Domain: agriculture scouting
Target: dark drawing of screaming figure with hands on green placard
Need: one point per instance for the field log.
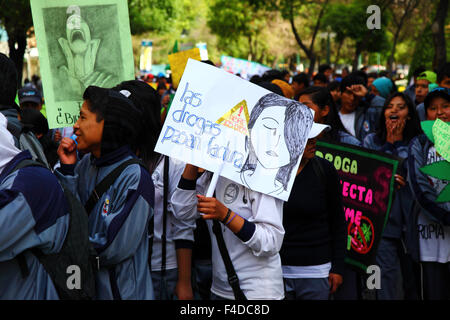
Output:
(83, 46)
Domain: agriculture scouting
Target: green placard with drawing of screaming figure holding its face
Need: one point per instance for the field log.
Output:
(80, 44)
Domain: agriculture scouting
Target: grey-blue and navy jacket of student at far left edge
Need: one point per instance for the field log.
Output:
(33, 213)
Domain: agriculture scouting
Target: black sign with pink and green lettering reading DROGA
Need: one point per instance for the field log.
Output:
(367, 180)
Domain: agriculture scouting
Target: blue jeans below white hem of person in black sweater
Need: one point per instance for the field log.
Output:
(306, 289)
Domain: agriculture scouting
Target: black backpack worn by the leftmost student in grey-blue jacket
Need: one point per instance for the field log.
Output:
(76, 250)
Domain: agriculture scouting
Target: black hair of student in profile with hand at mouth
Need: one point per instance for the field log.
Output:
(122, 120)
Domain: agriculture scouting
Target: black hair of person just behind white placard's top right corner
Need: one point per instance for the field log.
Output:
(322, 97)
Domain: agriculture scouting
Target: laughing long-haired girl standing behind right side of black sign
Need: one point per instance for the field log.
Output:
(399, 123)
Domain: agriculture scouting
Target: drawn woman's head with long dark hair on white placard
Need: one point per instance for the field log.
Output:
(277, 138)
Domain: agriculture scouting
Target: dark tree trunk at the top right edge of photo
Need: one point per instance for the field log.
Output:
(437, 29)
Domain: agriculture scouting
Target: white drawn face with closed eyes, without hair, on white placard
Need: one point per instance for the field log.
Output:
(267, 138)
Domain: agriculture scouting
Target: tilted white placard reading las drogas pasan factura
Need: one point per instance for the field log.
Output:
(220, 122)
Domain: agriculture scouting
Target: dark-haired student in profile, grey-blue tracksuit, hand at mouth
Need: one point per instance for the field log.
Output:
(108, 124)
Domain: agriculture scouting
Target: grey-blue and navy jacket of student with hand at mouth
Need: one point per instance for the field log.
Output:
(118, 223)
